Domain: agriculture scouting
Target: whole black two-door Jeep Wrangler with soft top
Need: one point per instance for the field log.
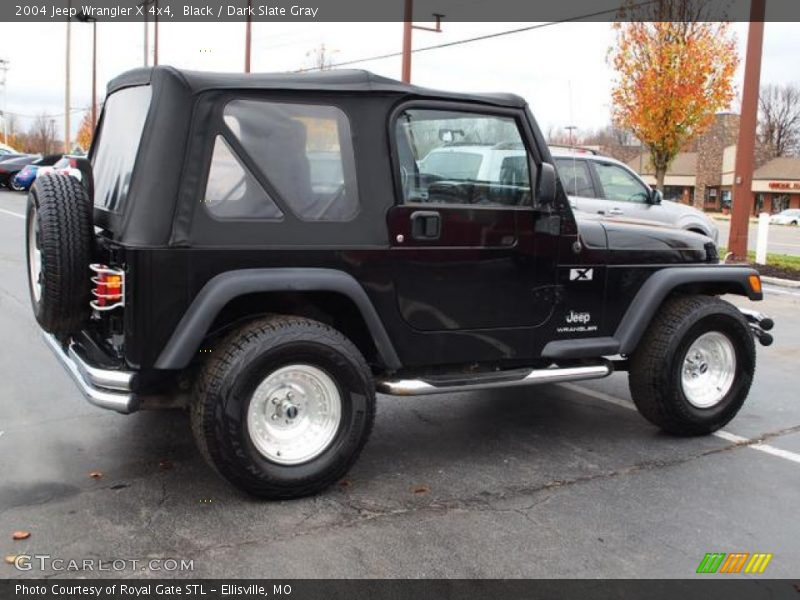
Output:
(270, 250)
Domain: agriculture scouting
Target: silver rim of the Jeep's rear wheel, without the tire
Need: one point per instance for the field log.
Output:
(294, 414)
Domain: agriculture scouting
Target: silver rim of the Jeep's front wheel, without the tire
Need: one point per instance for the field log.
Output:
(709, 368)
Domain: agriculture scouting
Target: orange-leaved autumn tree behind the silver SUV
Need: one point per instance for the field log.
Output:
(672, 78)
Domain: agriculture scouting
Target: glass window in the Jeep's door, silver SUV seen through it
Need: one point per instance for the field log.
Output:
(461, 158)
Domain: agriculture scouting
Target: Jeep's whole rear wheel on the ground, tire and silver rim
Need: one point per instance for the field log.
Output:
(283, 407)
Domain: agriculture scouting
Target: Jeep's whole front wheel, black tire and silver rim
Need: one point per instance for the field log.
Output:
(693, 368)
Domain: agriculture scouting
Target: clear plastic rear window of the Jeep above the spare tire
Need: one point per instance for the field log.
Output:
(117, 145)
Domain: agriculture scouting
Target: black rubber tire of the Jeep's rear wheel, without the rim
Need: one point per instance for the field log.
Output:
(225, 386)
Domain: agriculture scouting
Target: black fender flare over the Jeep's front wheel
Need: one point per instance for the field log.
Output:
(733, 279)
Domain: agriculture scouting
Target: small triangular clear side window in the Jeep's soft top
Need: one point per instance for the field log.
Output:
(232, 192)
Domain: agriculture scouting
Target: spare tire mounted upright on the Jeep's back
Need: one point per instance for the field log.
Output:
(58, 241)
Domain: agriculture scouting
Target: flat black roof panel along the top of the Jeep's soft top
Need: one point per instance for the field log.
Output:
(349, 80)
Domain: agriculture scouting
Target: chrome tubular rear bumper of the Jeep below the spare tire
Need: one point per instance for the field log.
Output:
(106, 388)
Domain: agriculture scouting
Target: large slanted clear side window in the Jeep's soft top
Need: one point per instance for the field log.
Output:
(306, 153)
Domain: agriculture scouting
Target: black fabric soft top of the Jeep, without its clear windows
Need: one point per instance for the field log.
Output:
(185, 116)
